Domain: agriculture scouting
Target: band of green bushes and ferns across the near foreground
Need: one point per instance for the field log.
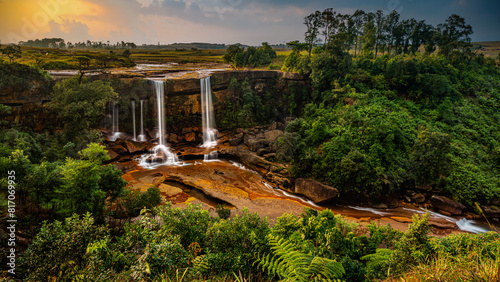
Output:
(191, 244)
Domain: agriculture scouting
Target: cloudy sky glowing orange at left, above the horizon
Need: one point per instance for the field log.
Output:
(248, 22)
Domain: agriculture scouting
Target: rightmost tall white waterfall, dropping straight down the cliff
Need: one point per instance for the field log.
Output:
(208, 121)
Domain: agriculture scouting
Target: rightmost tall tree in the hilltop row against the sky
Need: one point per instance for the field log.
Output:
(455, 34)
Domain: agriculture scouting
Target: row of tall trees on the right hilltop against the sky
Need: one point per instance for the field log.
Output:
(376, 32)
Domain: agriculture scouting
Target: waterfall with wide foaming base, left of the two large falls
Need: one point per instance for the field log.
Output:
(161, 154)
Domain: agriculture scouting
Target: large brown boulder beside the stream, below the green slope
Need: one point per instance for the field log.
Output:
(315, 190)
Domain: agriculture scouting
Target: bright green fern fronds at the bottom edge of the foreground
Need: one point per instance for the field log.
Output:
(292, 265)
